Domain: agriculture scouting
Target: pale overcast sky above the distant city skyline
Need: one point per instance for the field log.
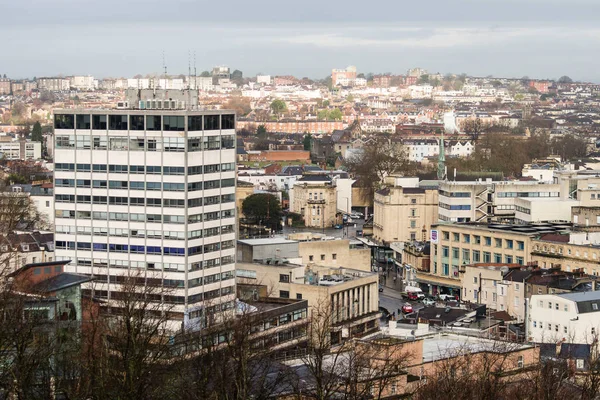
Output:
(120, 38)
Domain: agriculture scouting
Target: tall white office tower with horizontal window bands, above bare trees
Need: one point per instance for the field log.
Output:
(152, 192)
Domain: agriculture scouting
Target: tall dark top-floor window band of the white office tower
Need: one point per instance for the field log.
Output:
(144, 122)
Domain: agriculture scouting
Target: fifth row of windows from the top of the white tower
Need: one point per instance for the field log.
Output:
(142, 201)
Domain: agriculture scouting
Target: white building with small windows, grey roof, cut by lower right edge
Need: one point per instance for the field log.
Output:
(568, 317)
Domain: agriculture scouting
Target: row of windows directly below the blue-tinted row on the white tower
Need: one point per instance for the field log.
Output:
(170, 267)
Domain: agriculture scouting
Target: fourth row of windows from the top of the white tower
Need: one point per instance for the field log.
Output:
(141, 185)
